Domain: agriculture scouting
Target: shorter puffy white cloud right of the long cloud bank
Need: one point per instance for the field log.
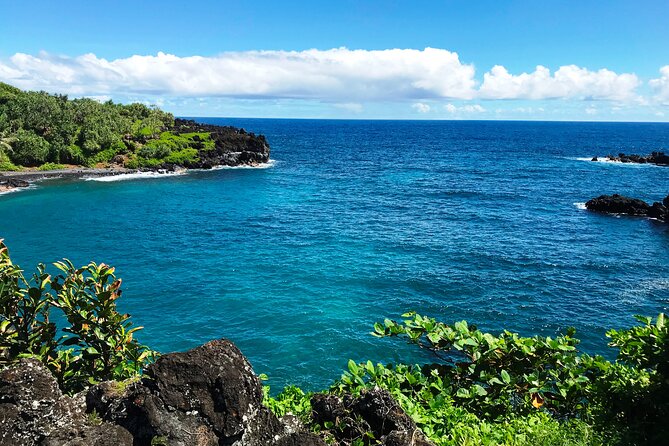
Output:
(568, 81)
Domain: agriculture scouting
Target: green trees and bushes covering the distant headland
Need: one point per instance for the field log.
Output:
(38, 129)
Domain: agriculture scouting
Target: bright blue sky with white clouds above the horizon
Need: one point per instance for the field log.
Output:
(442, 59)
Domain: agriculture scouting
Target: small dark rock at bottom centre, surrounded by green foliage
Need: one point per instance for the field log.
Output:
(373, 411)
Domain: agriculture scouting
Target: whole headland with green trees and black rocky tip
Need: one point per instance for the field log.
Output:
(51, 132)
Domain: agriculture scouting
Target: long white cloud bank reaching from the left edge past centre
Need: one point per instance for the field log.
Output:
(339, 75)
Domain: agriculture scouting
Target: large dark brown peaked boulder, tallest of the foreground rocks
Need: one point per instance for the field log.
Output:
(206, 396)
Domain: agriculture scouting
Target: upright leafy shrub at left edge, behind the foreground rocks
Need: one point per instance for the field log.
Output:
(98, 344)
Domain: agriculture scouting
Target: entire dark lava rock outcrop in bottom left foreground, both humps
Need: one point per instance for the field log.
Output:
(206, 396)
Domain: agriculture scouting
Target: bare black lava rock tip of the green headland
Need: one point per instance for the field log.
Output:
(232, 146)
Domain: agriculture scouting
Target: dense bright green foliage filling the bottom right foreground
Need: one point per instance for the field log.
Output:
(512, 390)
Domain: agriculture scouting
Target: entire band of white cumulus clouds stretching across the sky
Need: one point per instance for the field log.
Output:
(340, 76)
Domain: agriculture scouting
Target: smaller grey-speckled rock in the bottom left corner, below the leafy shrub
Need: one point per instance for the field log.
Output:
(33, 411)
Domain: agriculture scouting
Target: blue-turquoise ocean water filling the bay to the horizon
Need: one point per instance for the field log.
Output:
(362, 220)
